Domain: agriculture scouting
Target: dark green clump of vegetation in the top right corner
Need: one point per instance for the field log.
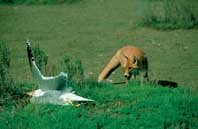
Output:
(170, 14)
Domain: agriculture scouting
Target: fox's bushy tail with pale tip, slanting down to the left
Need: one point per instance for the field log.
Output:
(109, 68)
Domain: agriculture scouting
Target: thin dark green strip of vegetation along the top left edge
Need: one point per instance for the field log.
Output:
(39, 1)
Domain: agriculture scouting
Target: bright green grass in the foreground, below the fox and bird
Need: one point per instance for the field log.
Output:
(116, 107)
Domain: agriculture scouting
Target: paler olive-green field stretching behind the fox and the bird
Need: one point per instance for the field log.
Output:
(92, 32)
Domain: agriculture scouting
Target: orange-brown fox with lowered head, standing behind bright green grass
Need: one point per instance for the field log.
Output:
(132, 60)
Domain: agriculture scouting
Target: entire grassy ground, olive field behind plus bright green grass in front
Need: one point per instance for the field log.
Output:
(92, 31)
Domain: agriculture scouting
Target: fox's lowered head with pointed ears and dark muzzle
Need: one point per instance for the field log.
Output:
(129, 65)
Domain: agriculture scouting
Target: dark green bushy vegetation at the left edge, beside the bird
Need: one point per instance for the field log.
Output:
(10, 92)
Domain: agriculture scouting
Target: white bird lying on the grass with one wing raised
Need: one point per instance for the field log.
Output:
(52, 89)
